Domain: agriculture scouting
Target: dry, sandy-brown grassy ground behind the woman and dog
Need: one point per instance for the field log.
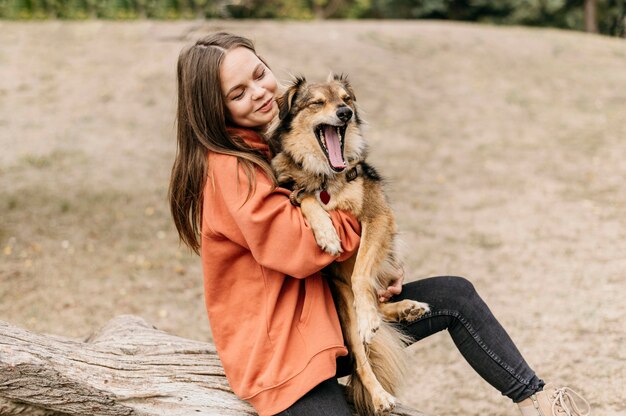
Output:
(504, 149)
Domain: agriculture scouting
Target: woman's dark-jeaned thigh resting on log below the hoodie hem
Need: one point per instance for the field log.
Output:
(325, 399)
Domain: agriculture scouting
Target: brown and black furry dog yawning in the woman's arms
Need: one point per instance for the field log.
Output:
(303, 162)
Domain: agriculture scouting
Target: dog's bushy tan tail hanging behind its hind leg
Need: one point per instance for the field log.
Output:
(387, 356)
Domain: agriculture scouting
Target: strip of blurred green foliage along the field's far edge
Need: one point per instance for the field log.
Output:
(566, 14)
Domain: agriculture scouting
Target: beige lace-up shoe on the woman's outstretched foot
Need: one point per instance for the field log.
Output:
(552, 401)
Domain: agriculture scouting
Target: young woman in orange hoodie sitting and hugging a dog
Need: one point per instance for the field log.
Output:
(271, 312)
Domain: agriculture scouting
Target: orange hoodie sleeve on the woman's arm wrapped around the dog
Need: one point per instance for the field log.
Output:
(272, 229)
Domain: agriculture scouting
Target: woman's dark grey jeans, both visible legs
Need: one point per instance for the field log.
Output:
(455, 306)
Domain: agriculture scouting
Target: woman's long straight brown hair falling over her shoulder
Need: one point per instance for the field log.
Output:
(201, 128)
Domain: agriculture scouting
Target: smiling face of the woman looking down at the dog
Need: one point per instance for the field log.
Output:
(249, 87)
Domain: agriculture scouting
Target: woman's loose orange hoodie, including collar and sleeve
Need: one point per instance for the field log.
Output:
(272, 315)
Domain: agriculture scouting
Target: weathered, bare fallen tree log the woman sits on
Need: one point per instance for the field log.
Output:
(128, 367)
